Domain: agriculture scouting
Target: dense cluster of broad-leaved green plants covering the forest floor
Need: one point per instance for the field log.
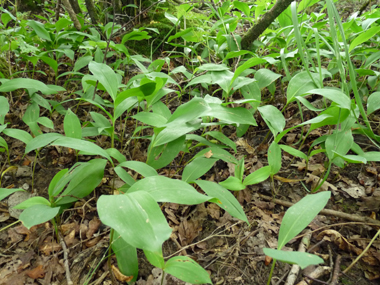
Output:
(317, 41)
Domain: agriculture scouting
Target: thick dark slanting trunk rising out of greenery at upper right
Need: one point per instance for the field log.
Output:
(264, 23)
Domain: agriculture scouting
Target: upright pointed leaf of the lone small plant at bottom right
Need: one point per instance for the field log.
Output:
(298, 216)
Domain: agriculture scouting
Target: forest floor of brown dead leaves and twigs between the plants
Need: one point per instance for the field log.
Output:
(229, 249)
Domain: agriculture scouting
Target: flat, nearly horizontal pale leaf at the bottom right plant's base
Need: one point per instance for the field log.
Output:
(303, 259)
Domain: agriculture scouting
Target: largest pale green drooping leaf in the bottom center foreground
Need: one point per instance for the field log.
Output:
(146, 227)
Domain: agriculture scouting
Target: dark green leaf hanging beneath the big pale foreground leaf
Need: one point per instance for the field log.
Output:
(126, 256)
